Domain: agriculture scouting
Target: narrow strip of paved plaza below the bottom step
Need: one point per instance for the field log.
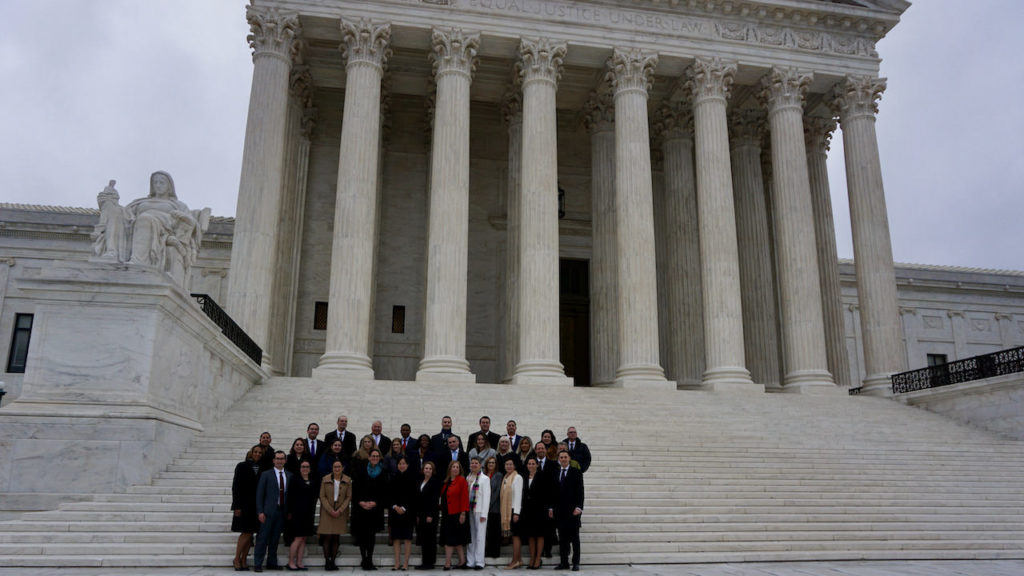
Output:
(870, 568)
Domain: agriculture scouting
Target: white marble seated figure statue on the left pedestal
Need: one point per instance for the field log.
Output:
(158, 231)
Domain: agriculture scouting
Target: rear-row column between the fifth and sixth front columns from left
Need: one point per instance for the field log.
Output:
(686, 322)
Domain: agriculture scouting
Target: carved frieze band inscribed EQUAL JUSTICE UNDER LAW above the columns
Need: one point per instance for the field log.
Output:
(761, 34)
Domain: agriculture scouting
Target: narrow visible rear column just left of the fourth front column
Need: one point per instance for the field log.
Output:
(514, 118)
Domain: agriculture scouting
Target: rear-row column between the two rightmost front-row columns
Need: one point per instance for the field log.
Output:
(818, 134)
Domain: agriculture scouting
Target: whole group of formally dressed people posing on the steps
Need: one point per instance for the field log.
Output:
(506, 489)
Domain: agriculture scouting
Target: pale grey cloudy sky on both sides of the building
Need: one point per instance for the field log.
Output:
(101, 90)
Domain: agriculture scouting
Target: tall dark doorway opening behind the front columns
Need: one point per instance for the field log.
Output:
(574, 319)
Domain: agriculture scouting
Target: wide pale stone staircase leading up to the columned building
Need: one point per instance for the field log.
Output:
(681, 477)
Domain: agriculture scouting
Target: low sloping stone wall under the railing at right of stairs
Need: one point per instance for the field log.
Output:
(995, 404)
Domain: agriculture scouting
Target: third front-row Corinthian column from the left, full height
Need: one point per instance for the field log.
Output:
(448, 244)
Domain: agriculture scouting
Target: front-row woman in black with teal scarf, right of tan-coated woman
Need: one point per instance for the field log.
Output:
(369, 503)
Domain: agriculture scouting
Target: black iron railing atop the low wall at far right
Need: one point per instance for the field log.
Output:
(975, 368)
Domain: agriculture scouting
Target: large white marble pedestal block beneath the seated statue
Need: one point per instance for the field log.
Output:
(123, 369)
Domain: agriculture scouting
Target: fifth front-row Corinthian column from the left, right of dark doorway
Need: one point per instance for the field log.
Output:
(632, 72)
